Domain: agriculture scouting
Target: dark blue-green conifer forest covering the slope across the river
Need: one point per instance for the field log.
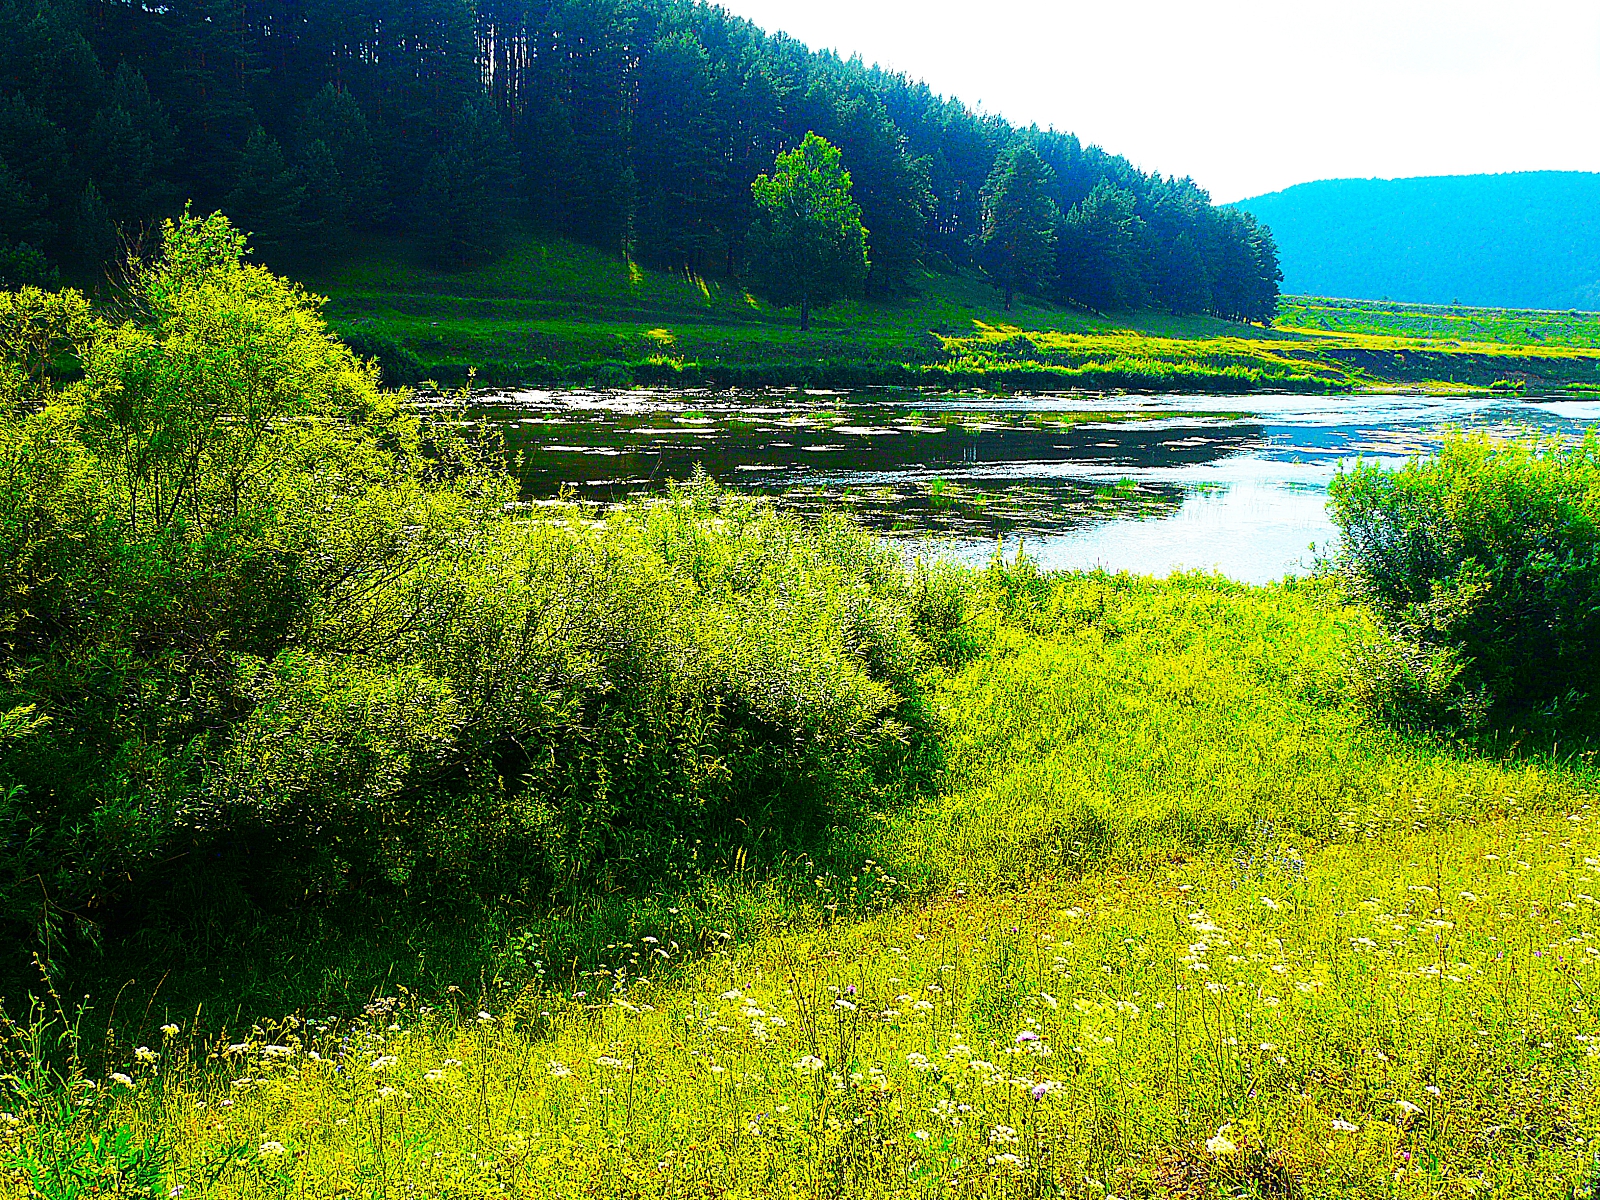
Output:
(634, 126)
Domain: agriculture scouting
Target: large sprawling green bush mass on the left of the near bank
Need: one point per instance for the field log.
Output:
(276, 642)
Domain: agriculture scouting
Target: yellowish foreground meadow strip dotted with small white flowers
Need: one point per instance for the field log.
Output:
(1409, 1017)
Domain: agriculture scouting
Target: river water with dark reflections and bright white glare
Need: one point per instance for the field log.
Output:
(1234, 484)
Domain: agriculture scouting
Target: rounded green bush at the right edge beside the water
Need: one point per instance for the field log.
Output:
(1486, 566)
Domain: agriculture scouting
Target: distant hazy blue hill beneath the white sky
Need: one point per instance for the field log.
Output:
(1527, 241)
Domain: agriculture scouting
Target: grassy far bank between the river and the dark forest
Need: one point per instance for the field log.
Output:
(559, 313)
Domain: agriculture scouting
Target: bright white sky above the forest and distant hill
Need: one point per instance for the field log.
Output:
(1250, 97)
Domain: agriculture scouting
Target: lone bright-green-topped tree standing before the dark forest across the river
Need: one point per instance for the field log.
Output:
(809, 246)
